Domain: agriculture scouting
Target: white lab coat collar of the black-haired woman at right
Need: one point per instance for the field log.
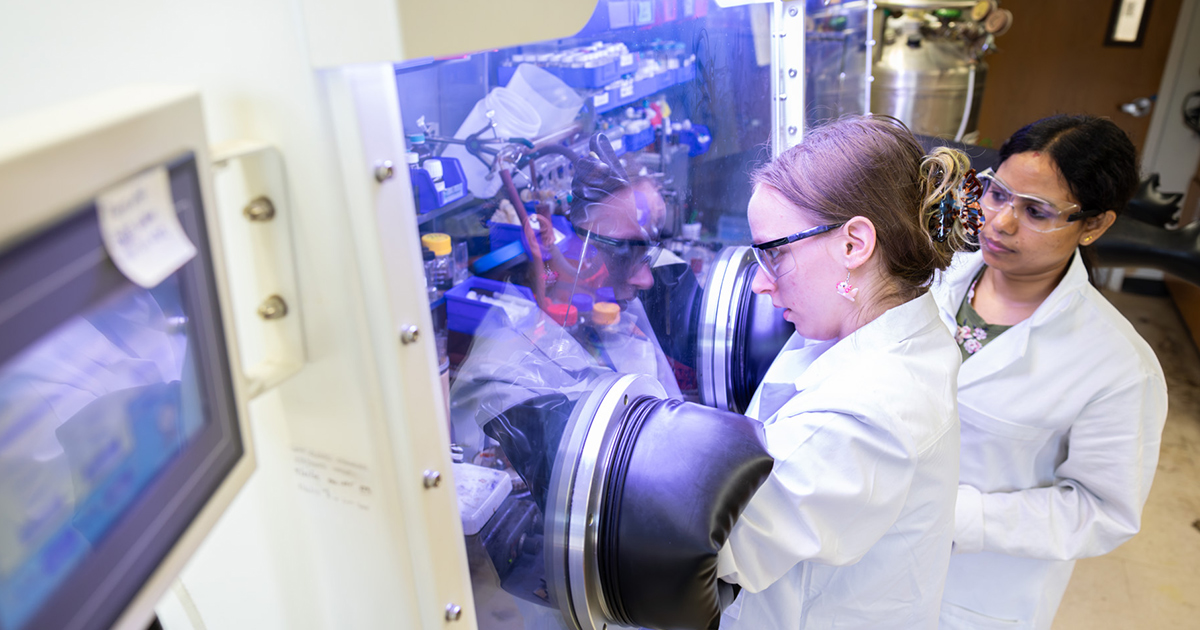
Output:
(1013, 344)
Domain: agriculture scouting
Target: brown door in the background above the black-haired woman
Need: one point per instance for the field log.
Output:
(1054, 61)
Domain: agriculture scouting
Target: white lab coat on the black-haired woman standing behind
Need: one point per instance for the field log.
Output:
(1063, 417)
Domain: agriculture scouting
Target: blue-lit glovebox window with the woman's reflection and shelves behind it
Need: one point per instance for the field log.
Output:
(617, 167)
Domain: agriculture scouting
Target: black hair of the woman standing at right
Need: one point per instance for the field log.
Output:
(1094, 155)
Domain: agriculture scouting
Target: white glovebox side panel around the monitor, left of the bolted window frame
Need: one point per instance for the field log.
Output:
(280, 559)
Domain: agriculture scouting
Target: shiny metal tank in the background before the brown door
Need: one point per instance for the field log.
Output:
(929, 71)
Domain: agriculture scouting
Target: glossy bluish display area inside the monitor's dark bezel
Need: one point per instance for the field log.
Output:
(91, 413)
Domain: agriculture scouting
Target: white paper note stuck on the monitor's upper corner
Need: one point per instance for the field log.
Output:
(141, 230)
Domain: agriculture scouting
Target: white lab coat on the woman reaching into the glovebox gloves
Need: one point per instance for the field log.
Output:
(854, 526)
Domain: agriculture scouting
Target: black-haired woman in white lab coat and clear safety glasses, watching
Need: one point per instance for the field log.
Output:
(1061, 403)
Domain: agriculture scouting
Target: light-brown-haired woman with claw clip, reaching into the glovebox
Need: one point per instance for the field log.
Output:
(853, 529)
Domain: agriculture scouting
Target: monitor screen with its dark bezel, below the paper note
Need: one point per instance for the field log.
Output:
(118, 418)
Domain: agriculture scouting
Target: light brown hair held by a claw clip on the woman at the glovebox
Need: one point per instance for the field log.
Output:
(873, 167)
